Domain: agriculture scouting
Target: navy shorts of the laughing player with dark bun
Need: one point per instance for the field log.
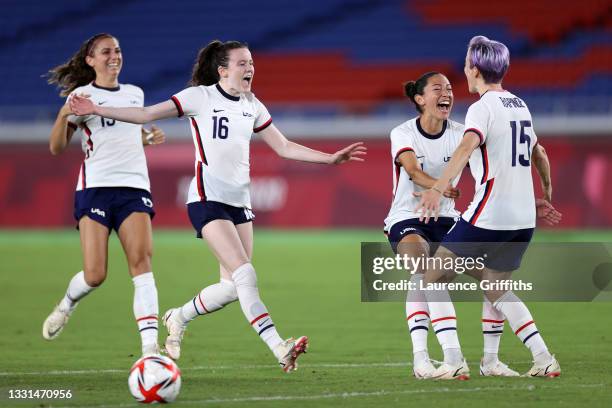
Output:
(432, 232)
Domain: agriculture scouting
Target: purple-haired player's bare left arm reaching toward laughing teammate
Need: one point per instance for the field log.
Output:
(430, 199)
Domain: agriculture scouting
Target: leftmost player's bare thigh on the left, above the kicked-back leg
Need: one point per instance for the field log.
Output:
(94, 246)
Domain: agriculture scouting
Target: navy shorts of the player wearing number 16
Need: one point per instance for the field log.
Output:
(203, 212)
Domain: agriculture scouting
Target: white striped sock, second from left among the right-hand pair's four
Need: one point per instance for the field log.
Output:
(444, 322)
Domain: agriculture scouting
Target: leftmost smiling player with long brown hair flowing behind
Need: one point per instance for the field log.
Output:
(112, 190)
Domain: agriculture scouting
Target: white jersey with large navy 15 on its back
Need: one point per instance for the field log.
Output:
(501, 166)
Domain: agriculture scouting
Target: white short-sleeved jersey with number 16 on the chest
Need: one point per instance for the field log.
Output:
(221, 126)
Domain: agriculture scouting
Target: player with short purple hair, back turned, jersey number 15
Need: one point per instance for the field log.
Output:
(500, 144)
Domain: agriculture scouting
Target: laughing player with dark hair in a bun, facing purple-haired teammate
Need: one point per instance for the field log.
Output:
(421, 148)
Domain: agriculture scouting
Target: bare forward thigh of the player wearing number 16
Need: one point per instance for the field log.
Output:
(223, 239)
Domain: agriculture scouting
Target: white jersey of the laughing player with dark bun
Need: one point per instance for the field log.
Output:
(433, 153)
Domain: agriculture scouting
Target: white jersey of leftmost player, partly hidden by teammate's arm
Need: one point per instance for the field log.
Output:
(114, 155)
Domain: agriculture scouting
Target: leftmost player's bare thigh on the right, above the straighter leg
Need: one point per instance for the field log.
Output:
(136, 237)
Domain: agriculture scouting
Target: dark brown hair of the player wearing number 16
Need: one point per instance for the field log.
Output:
(210, 58)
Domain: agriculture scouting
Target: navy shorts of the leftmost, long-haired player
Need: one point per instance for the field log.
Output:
(110, 206)
